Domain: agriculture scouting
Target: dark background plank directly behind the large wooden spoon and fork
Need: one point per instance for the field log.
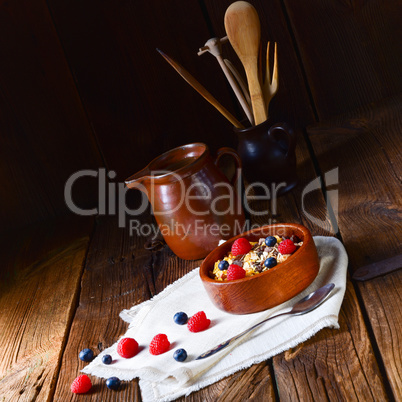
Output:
(291, 103)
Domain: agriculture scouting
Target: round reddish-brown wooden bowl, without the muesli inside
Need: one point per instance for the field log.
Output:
(267, 289)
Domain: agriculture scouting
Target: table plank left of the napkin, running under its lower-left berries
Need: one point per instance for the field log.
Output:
(115, 278)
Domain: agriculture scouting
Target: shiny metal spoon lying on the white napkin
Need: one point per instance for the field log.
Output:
(303, 306)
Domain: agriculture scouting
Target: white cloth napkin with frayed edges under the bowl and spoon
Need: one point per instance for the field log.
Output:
(164, 379)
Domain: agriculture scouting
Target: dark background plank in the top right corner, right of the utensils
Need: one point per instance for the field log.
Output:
(350, 50)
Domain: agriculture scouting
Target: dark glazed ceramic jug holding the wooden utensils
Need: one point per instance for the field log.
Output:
(267, 152)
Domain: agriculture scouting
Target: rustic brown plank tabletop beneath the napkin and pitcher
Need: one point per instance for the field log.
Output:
(64, 283)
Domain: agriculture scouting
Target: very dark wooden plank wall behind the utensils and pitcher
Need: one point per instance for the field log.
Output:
(82, 86)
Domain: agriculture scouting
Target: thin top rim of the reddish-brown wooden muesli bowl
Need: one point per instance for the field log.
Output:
(307, 237)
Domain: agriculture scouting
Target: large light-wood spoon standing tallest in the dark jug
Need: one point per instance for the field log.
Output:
(243, 29)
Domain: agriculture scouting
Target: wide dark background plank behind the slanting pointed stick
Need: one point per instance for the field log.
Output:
(138, 105)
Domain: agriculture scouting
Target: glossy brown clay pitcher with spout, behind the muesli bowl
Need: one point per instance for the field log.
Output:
(193, 202)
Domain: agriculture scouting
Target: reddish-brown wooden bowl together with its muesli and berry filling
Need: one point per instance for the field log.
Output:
(245, 293)
